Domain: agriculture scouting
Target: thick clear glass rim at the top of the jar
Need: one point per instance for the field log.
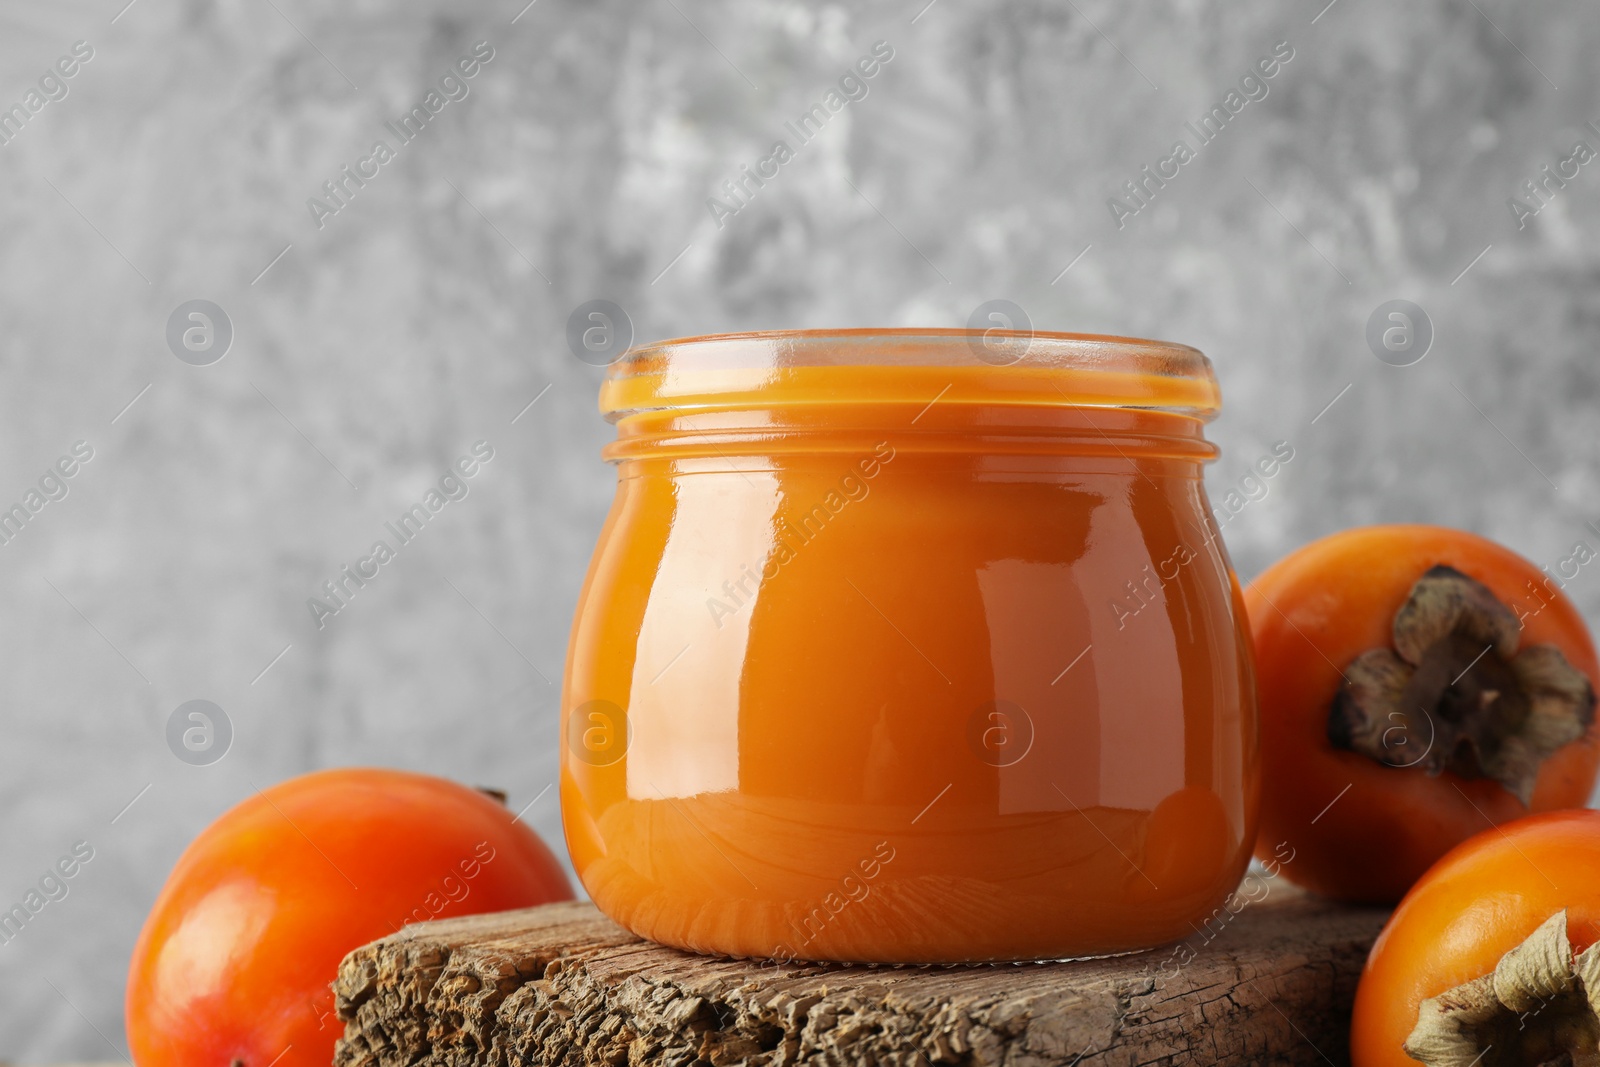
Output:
(870, 366)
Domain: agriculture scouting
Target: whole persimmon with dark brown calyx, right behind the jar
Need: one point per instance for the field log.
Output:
(1417, 685)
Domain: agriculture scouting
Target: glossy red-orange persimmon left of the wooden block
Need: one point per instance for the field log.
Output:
(236, 961)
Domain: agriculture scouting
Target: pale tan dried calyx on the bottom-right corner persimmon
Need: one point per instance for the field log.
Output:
(1542, 1007)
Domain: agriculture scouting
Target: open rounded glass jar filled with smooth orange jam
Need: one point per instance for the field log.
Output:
(910, 647)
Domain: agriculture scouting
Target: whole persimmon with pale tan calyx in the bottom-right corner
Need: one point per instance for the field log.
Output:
(1492, 959)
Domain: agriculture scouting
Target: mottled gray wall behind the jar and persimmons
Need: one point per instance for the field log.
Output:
(433, 310)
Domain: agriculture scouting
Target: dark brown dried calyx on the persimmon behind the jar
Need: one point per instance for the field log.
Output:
(1457, 695)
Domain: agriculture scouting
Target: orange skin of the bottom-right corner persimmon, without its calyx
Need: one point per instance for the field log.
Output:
(1471, 909)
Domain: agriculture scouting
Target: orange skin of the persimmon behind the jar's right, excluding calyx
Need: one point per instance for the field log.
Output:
(1311, 615)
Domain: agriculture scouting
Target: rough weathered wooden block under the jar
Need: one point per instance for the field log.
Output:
(562, 985)
